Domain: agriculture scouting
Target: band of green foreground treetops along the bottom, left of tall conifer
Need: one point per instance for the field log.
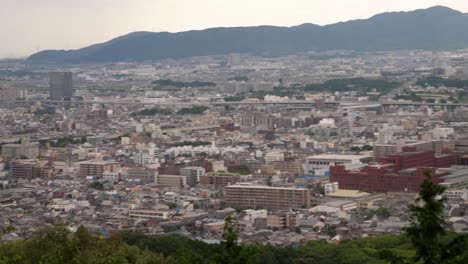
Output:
(58, 245)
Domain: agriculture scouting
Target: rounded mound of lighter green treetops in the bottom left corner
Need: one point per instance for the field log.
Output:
(57, 245)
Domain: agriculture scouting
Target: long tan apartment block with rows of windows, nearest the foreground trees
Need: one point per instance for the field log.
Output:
(248, 196)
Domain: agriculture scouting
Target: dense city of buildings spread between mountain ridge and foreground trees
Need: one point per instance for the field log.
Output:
(321, 145)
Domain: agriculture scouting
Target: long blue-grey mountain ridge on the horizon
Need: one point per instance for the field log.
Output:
(434, 28)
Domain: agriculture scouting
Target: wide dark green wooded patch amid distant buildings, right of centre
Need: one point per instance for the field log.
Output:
(352, 84)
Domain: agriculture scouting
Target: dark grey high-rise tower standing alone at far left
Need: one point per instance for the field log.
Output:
(60, 86)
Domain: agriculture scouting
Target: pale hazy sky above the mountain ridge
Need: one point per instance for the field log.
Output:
(27, 26)
